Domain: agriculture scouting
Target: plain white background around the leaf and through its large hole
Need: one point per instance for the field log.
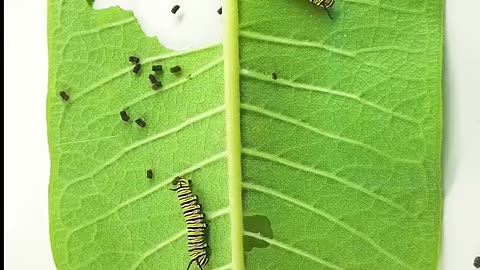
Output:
(26, 151)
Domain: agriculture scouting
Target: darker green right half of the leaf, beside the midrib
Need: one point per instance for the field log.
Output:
(342, 151)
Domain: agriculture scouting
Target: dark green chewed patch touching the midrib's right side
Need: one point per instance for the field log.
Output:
(256, 224)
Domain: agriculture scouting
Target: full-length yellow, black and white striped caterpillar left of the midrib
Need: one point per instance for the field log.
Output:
(195, 222)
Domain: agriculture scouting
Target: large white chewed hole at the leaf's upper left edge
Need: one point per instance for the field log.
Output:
(194, 24)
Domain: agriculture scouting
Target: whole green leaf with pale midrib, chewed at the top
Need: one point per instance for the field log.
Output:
(335, 164)
